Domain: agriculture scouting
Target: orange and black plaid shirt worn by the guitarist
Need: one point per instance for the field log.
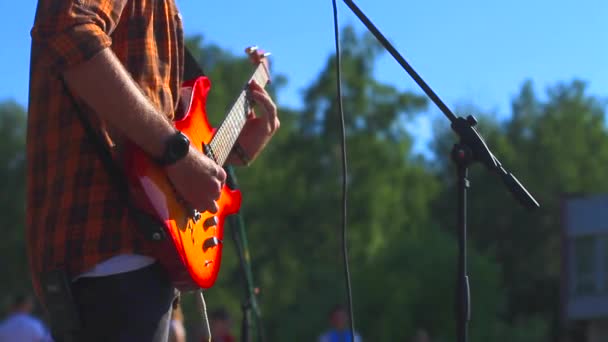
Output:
(76, 217)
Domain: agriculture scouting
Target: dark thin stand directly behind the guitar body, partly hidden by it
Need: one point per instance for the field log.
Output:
(250, 303)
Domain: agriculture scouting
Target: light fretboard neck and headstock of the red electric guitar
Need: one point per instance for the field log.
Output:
(227, 134)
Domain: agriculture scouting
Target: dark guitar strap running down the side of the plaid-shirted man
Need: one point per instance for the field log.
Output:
(152, 228)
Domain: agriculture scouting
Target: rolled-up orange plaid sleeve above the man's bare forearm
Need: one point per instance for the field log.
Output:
(69, 32)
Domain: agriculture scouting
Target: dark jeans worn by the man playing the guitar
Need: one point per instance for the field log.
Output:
(132, 306)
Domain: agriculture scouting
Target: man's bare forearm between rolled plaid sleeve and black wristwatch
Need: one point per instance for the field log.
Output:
(104, 84)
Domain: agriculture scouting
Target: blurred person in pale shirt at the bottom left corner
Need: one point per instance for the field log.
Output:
(20, 325)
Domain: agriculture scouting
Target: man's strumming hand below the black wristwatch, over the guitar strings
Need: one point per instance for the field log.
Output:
(198, 180)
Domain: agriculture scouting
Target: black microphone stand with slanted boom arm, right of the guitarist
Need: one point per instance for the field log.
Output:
(470, 148)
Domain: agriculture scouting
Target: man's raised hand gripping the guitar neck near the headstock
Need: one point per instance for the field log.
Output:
(259, 129)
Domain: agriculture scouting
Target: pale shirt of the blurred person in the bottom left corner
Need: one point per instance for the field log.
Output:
(23, 328)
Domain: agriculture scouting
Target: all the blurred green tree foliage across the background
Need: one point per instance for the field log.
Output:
(401, 206)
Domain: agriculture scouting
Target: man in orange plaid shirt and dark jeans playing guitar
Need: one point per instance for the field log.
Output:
(120, 63)
